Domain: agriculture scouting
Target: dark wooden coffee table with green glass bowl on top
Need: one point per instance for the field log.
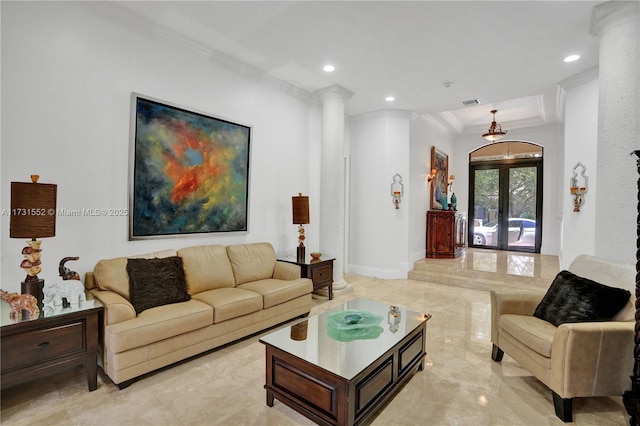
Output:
(336, 373)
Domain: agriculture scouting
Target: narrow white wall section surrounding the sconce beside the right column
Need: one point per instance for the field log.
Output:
(581, 144)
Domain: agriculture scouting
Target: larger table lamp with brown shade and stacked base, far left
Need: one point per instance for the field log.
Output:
(33, 215)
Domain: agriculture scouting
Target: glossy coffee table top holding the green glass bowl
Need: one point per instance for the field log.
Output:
(347, 340)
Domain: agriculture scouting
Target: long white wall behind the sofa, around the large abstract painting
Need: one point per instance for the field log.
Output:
(67, 76)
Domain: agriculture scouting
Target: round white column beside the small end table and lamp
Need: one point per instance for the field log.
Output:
(332, 180)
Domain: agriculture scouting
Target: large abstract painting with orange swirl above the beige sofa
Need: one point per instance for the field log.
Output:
(188, 173)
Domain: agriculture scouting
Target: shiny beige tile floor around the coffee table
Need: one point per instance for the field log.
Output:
(459, 386)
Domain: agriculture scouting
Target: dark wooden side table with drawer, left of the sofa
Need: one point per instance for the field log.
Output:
(51, 343)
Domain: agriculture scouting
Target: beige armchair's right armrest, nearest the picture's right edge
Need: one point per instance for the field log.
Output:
(592, 358)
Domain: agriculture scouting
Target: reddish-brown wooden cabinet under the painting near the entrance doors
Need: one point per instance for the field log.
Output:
(446, 231)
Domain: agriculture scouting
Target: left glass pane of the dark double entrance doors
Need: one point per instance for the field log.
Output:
(486, 196)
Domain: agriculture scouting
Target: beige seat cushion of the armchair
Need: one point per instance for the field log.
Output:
(533, 332)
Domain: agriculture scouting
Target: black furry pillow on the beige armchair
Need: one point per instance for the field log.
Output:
(576, 299)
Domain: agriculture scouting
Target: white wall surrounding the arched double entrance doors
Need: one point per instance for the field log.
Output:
(548, 137)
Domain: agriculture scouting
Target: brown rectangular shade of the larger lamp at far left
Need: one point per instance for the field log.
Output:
(33, 210)
